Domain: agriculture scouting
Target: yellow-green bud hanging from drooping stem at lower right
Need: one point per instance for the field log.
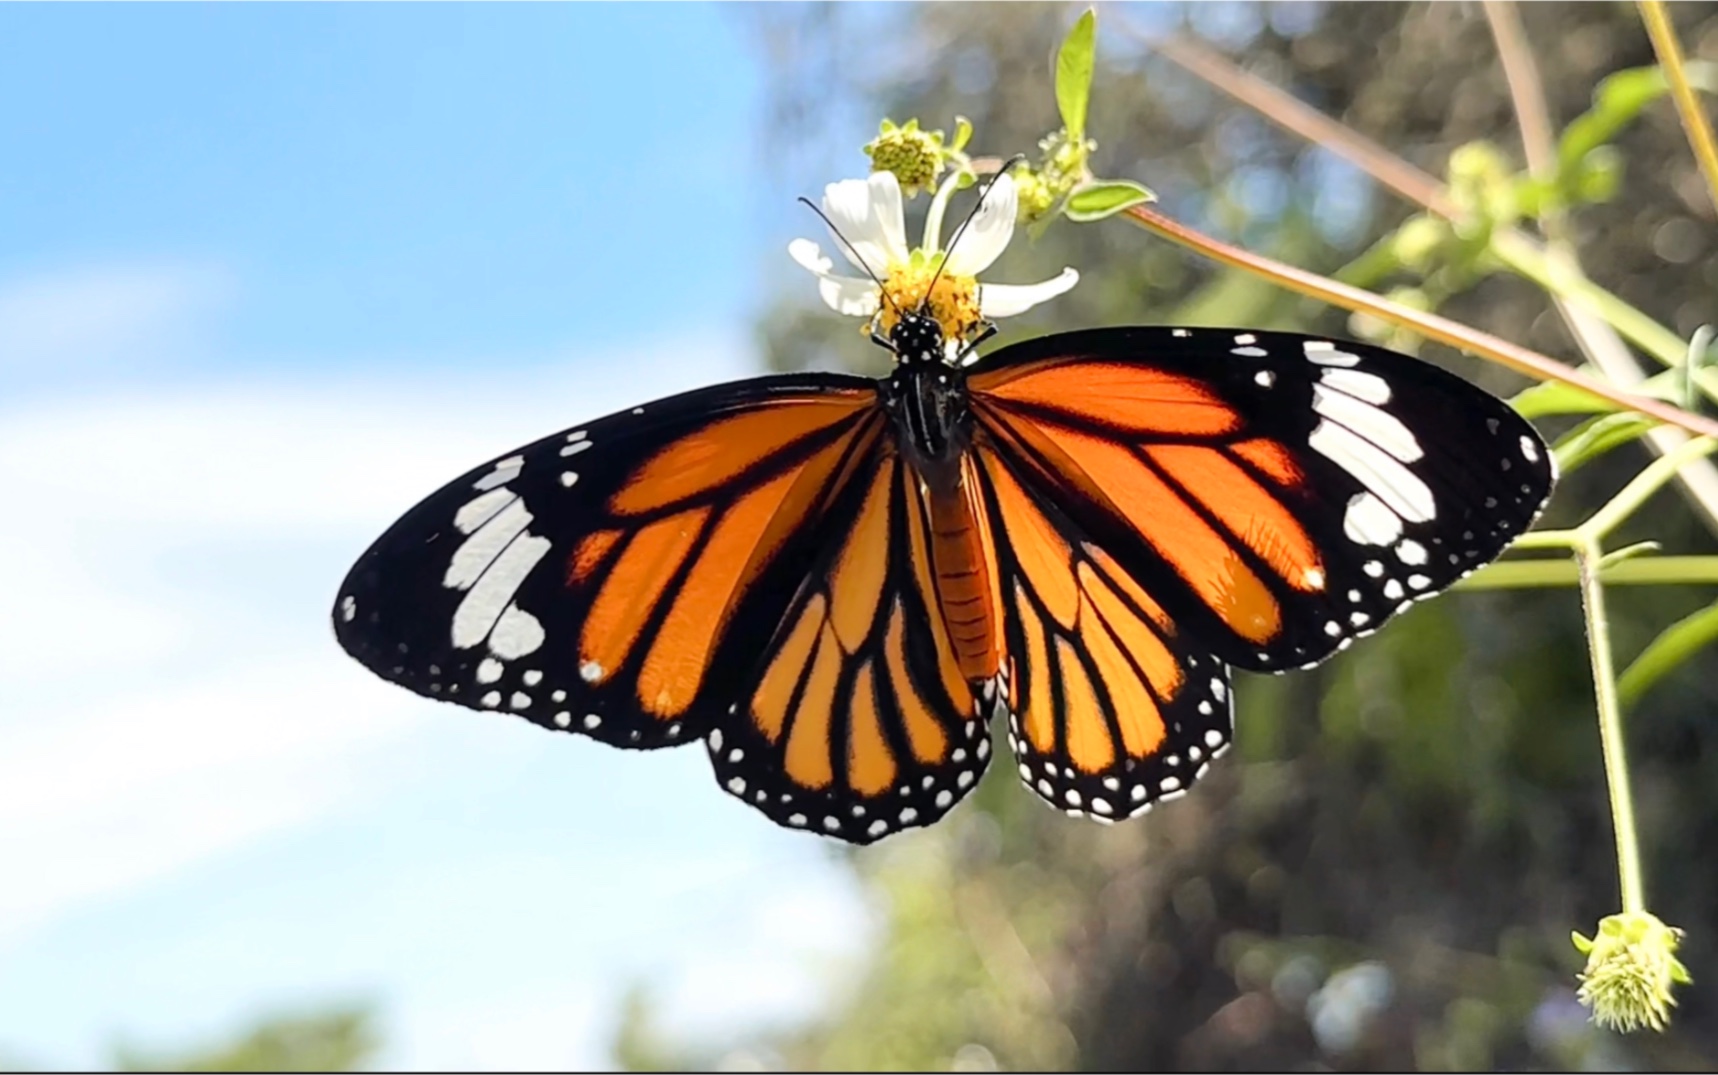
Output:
(1631, 968)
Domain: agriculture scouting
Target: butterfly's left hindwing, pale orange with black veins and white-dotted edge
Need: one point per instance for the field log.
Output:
(856, 720)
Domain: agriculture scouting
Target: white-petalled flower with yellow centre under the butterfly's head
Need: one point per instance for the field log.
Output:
(867, 212)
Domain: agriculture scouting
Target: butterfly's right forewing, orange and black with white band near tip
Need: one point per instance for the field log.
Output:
(1279, 495)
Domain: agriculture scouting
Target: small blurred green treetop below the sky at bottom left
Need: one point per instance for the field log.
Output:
(331, 1040)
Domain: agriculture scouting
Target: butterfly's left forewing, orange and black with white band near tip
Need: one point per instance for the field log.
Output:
(602, 580)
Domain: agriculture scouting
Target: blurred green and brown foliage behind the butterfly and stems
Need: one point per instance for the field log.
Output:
(1386, 873)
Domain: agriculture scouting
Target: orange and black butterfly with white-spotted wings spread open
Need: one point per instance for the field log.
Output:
(834, 583)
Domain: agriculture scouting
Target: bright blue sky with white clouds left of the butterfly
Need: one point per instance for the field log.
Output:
(267, 277)
